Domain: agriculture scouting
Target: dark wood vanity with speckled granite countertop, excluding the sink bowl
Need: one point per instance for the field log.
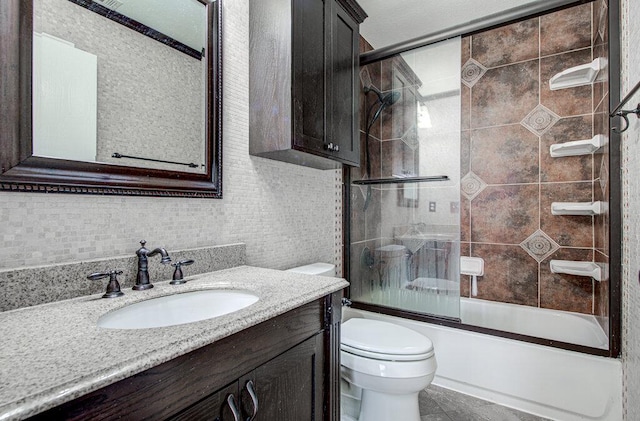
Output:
(278, 356)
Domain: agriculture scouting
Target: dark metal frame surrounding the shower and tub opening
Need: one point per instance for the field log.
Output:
(615, 194)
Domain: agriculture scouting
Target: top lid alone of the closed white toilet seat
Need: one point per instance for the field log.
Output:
(383, 337)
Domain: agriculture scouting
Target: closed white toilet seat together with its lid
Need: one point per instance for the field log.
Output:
(384, 341)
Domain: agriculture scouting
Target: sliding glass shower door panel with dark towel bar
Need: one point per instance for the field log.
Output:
(404, 202)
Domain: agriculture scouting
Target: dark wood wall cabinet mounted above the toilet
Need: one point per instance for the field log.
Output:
(303, 86)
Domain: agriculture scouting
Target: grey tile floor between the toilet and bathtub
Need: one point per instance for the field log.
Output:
(439, 404)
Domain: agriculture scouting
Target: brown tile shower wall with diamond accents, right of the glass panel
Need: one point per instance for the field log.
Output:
(510, 118)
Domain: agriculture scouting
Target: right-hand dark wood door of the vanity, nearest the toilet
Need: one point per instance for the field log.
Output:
(289, 387)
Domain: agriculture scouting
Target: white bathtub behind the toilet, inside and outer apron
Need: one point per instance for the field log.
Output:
(545, 381)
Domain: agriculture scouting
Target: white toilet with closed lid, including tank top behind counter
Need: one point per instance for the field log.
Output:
(383, 365)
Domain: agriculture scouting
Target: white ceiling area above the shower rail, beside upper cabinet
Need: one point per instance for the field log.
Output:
(391, 22)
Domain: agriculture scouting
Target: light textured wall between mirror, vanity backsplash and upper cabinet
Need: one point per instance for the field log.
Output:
(286, 214)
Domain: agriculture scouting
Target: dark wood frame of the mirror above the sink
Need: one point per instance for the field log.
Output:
(21, 171)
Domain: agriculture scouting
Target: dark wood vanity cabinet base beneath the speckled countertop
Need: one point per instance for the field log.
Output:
(291, 360)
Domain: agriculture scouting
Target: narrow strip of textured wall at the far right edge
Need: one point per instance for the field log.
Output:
(631, 215)
